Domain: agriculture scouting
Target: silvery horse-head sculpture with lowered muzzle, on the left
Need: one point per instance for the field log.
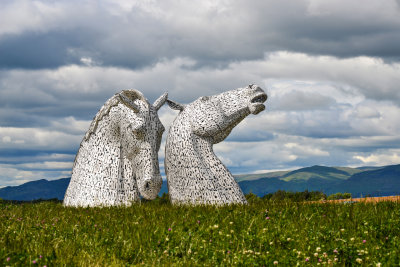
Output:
(118, 157)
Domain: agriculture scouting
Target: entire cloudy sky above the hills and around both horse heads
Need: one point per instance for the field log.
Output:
(331, 70)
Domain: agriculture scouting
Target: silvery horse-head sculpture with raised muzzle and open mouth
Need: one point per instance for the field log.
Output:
(194, 173)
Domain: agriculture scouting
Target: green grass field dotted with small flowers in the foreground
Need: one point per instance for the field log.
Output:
(154, 233)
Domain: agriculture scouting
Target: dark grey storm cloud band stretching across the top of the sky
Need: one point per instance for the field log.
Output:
(137, 35)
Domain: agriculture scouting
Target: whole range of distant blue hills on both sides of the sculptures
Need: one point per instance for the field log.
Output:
(374, 181)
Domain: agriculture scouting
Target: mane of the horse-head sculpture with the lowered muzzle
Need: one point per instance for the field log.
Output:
(126, 97)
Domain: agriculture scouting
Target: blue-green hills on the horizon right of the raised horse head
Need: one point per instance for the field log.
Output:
(374, 181)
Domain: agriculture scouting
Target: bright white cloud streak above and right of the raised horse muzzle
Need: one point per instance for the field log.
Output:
(368, 76)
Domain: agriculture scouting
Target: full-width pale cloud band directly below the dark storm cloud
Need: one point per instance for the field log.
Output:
(29, 94)
